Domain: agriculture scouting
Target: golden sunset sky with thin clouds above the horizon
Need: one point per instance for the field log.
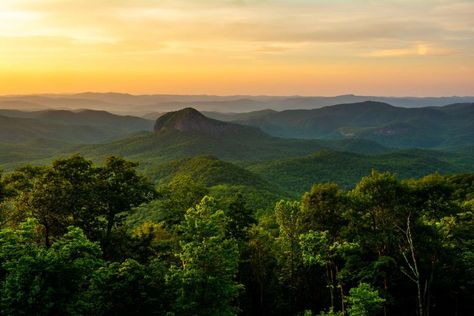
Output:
(271, 47)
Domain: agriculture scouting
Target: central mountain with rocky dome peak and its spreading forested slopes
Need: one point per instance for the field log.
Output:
(188, 133)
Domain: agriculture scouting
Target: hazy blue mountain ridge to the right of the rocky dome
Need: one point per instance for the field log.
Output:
(445, 127)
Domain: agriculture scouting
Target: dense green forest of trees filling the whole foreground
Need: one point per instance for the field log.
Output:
(80, 238)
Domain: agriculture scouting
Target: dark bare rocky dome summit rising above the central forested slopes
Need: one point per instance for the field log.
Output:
(191, 120)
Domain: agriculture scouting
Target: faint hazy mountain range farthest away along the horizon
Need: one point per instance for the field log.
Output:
(152, 106)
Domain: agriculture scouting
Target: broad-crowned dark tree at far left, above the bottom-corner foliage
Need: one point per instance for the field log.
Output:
(58, 196)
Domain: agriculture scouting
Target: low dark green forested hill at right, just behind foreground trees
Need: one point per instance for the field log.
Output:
(297, 175)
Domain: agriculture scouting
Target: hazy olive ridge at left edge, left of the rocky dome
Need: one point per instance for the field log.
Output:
(32, 136)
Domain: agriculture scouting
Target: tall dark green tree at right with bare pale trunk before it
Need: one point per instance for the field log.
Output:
(427, 242)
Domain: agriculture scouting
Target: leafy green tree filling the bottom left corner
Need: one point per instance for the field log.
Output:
(45, 281)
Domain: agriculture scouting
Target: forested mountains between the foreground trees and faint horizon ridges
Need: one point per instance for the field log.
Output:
(267, 152)
